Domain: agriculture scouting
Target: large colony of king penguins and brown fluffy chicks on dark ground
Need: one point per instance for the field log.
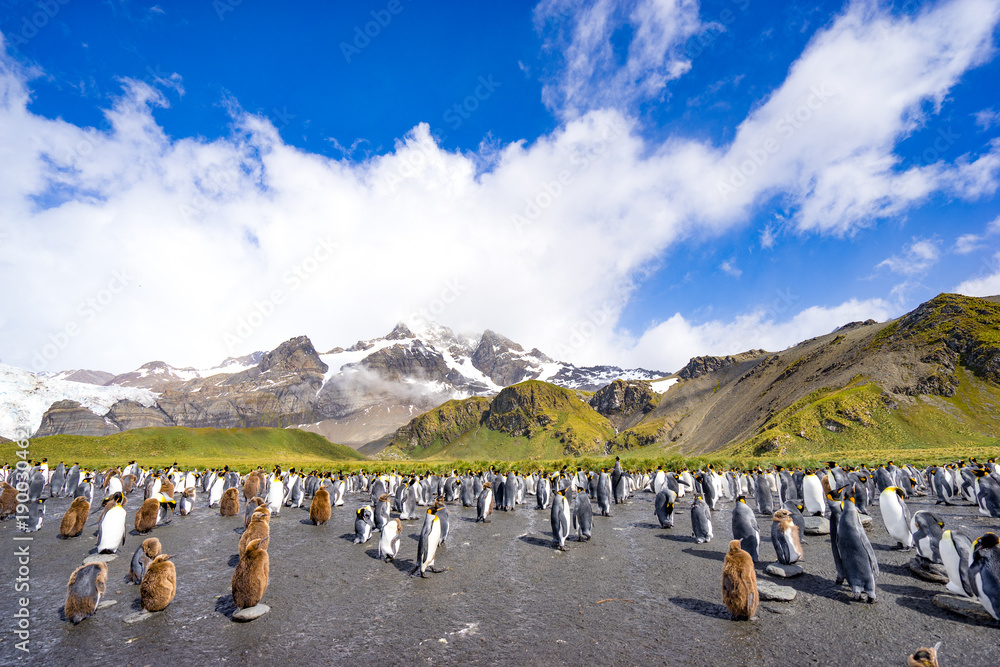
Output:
(972, 562)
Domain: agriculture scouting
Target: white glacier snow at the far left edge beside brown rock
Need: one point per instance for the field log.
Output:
(25, 396)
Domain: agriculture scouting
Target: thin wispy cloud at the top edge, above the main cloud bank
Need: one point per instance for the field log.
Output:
(591, 75)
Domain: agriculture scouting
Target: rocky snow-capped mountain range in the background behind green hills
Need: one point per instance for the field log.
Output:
(352, 395)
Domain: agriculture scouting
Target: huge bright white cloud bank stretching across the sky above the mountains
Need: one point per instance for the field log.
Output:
(233, 237)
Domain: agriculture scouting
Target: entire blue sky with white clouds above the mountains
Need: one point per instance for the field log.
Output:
(632, 182)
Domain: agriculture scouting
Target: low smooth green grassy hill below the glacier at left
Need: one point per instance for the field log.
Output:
(202, 447)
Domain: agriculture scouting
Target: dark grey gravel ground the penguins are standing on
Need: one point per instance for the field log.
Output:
(635, 594)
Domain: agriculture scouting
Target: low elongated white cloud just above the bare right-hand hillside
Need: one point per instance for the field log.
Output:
(668, 345)
